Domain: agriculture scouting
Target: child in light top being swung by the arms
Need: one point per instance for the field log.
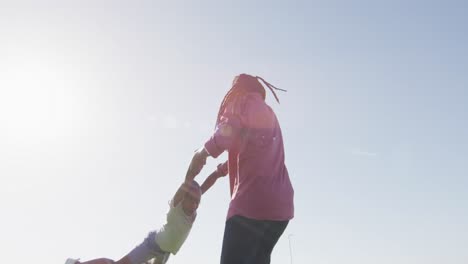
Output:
(159, 244)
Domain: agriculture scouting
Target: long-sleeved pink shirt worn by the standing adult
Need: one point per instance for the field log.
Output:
(259, 180)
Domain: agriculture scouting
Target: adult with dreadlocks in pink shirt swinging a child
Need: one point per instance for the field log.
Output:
(261, 192)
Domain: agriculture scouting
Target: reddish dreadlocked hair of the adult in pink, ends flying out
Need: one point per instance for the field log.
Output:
(243, 84)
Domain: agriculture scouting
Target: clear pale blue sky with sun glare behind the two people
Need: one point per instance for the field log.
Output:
(103, 102)
